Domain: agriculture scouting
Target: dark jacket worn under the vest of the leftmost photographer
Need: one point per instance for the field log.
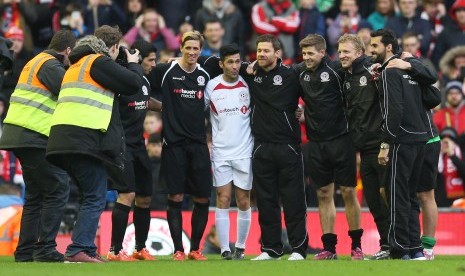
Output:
(50, 75)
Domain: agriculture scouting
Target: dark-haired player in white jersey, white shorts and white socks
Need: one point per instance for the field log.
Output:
(229, 100)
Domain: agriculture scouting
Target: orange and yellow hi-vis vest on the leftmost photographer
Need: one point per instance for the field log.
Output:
(32, 104)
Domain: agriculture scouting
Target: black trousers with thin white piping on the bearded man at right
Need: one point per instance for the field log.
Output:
(404, 171)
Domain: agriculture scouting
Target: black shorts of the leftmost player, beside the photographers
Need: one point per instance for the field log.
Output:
(136, 176)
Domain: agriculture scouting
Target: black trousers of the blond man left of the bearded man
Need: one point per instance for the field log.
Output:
(373, 177)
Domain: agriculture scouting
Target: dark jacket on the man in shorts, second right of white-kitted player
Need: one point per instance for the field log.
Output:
(325, 117)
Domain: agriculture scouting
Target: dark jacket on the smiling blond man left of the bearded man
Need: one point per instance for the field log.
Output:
(363, 106)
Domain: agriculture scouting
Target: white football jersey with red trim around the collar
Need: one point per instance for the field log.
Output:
(230, 117)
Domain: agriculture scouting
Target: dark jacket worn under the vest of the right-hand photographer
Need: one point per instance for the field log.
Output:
(107, 146)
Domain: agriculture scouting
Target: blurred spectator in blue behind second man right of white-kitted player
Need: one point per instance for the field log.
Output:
(311, 22)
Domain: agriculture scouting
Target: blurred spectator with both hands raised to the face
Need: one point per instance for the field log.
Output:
(151, 28)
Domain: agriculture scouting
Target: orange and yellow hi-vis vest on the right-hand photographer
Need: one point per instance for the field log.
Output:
(82, 101)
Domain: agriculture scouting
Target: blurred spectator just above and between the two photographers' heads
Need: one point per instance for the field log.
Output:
(70, 19)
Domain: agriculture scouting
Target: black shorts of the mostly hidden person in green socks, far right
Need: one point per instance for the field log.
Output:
(429, 169)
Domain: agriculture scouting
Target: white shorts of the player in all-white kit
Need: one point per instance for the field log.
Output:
(239, 171)
